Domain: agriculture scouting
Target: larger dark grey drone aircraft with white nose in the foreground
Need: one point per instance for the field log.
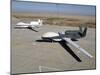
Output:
(68, 37)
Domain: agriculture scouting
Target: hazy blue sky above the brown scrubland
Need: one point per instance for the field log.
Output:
(34, 7)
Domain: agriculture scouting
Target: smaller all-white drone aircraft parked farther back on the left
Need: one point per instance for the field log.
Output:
(32, 25)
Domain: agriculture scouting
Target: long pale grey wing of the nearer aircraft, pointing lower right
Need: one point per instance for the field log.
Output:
(68, 40)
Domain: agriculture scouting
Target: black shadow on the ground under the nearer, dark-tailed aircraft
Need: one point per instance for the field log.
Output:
(66, 47)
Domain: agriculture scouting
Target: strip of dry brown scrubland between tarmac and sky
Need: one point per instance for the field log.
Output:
(61, 20)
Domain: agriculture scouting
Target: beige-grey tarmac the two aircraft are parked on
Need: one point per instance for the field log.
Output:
(30, 56)
